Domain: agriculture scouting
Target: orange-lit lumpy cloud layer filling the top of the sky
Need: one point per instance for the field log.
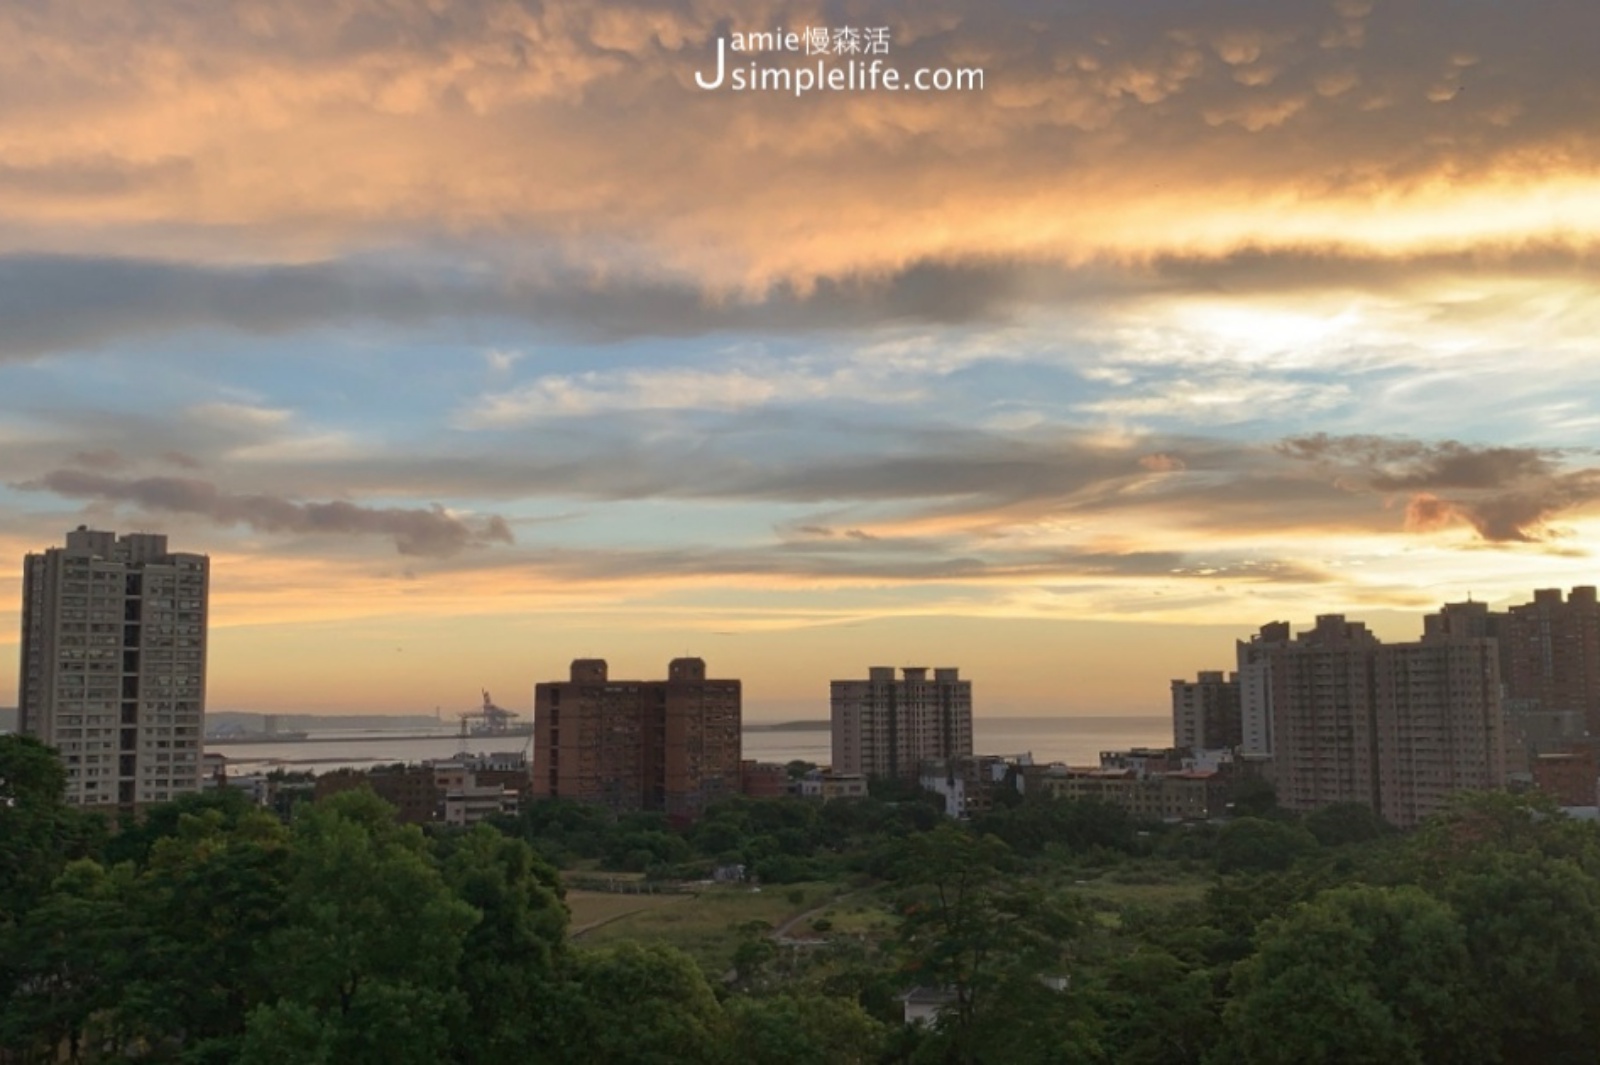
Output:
(1124, 130)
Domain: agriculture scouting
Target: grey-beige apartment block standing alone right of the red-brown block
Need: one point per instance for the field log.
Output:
(887, 727)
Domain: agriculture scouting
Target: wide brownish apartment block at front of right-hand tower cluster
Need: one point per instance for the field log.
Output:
(1398, 728)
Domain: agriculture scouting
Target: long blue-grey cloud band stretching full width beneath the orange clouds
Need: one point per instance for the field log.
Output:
(63, 303)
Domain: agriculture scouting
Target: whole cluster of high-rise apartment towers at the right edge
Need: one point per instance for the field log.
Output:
(1484, 700)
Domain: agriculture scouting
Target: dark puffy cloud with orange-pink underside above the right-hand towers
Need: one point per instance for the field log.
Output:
(1506, 495)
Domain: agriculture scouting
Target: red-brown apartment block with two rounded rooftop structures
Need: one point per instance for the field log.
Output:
(671, 746)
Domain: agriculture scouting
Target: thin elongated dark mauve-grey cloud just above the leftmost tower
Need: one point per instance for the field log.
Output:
(415, 532)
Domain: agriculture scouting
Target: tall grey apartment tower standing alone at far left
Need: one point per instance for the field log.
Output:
(114, 658)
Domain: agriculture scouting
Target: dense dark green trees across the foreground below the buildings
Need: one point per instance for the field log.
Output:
(212, 931)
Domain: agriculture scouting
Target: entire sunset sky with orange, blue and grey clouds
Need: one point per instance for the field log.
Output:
(471, 338)
